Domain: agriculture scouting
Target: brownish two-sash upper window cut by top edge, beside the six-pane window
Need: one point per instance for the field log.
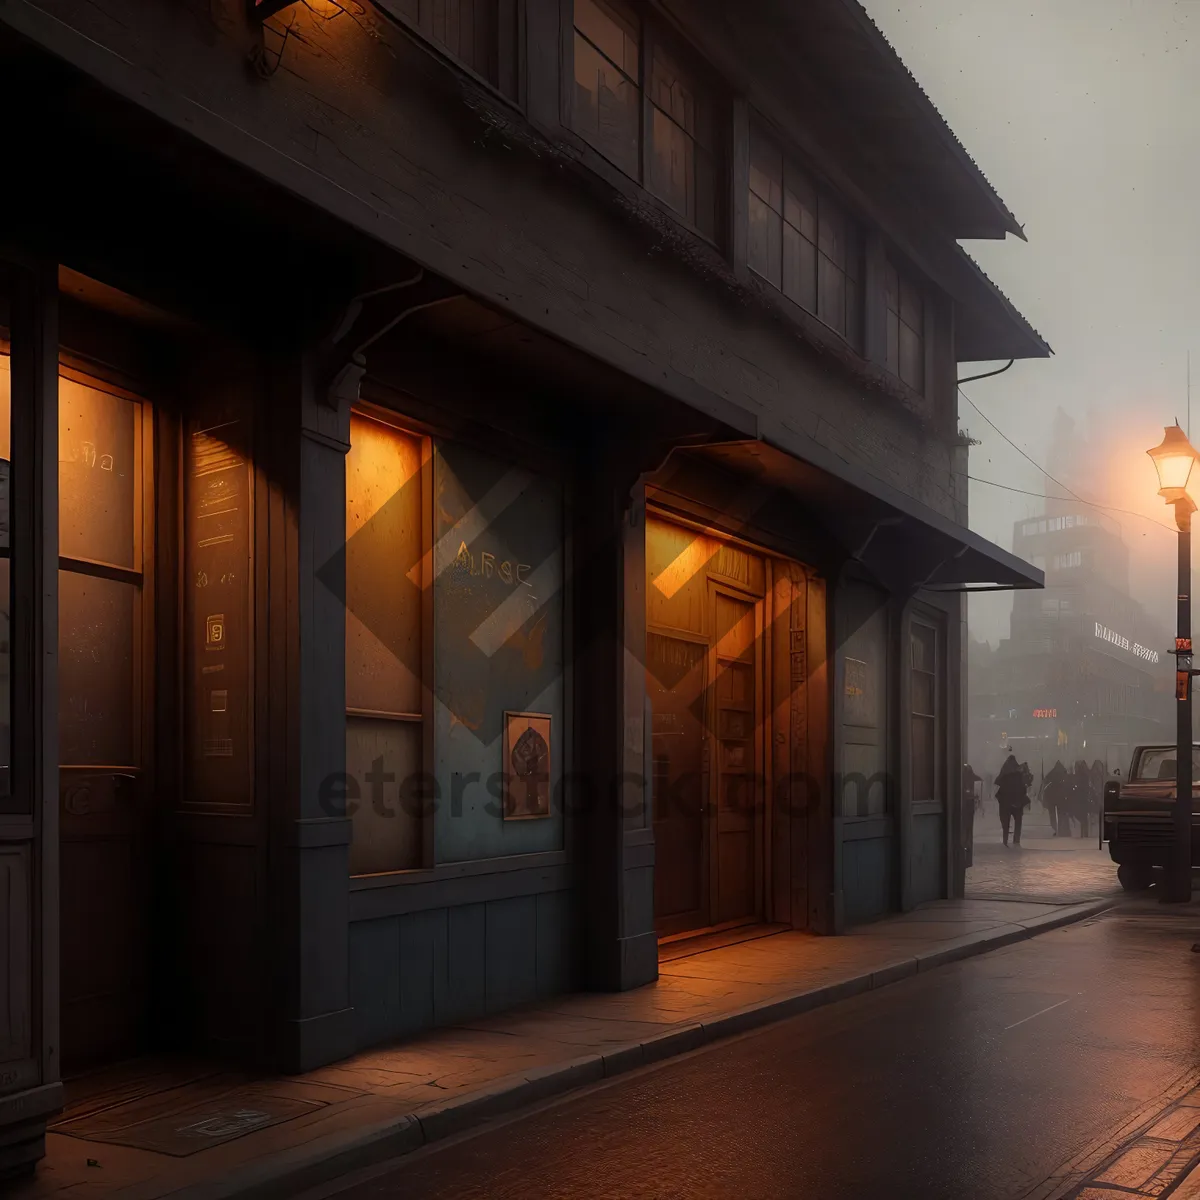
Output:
(621, 70)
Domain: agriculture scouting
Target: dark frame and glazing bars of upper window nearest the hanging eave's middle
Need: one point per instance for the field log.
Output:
(856, 233)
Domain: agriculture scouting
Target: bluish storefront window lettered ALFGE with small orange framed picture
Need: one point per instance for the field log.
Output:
(497, 598)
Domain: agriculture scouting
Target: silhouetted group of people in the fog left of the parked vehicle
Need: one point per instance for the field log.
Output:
(1067, 796)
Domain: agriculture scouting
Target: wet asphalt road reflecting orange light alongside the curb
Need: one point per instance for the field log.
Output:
(976, 1081)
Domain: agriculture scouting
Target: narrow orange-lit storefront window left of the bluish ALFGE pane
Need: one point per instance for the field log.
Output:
(385, 707)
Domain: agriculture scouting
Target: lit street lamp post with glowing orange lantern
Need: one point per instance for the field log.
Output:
(1175, 460)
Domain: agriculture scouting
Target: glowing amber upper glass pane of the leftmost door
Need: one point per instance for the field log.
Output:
(99, 473)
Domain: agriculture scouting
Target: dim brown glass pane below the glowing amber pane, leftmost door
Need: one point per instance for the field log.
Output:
(97, 671)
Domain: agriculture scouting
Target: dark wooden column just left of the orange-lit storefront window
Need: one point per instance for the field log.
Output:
(310, 845)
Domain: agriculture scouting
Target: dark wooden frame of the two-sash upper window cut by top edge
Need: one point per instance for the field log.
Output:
(655, 34)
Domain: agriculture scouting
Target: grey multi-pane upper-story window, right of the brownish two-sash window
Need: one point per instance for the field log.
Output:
(802, 243)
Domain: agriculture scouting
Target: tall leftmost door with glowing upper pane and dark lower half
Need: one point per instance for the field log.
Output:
(105, 827)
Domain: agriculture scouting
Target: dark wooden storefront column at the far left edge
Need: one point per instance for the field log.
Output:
(31, 1089)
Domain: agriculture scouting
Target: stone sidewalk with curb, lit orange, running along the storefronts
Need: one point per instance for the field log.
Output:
(158, 1130)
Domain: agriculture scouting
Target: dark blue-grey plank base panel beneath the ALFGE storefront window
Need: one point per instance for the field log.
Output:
(449, 965)
